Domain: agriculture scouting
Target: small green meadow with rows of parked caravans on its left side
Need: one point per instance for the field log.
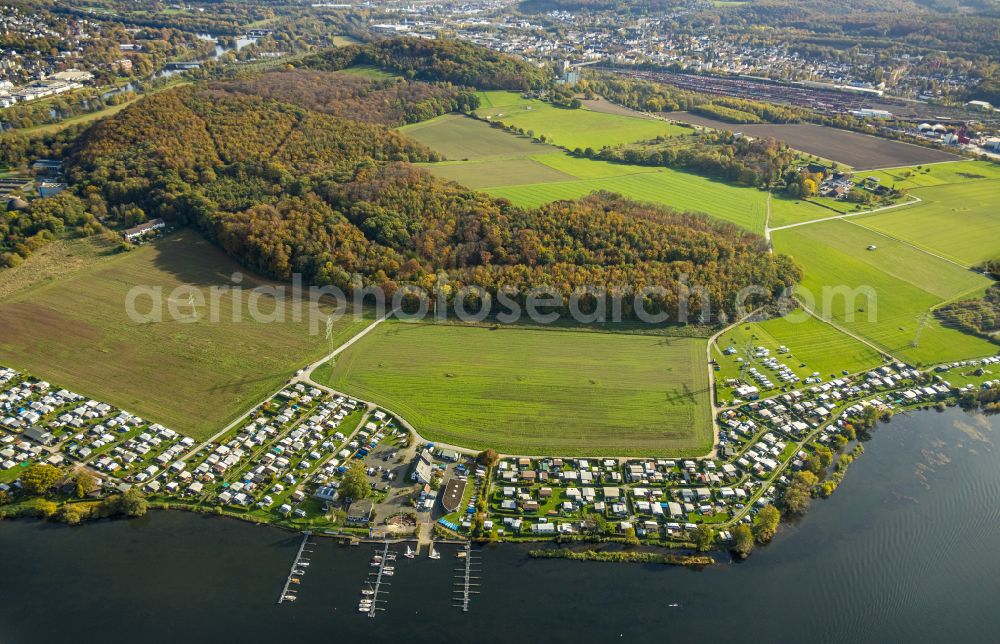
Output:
(812, 346)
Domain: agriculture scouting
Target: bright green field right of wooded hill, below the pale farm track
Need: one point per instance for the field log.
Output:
(907, 284)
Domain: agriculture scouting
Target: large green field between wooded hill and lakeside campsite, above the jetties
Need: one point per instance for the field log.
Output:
(536, 392)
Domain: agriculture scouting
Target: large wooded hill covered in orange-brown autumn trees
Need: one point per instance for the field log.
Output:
(284, 189)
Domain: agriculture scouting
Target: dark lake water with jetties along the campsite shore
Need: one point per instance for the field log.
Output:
(908, 549)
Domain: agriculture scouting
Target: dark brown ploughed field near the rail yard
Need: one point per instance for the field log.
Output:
(860, 151)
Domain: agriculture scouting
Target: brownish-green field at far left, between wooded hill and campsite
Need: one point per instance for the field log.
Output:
(192, 376)
